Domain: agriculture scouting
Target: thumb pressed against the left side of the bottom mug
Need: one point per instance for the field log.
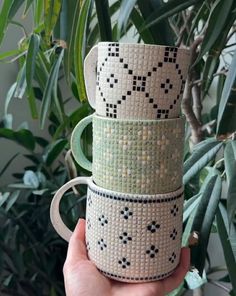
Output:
(77, 249)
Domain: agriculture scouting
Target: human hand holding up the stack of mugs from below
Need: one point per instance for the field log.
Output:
(83, 279)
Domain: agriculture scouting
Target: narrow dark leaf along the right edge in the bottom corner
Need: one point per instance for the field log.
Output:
(223, 230)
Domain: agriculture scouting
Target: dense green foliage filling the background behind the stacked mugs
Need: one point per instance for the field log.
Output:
(49, 56)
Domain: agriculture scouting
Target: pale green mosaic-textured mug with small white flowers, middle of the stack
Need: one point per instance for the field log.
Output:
(133, 156)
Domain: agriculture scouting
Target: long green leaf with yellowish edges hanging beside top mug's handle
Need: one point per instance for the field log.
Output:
(79, 48)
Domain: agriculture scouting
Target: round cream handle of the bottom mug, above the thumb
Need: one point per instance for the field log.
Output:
(55, 217)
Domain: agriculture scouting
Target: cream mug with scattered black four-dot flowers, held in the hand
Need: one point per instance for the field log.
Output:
(129, 237)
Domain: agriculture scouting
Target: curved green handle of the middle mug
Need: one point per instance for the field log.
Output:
(75, 143)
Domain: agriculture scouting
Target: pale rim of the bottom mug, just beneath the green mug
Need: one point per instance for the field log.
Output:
(95, 188)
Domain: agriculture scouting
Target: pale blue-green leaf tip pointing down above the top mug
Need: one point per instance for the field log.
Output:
(126, 8)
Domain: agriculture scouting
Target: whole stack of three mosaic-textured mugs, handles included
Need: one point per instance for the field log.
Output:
(135, 195)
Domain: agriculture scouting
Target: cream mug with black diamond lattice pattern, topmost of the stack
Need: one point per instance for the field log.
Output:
(136, 81)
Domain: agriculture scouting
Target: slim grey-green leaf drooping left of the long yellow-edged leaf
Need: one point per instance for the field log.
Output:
(50, 87)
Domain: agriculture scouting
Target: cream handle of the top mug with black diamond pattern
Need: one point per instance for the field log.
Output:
(90, 75)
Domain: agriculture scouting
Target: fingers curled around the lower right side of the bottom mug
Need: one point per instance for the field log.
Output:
(176, 278)
